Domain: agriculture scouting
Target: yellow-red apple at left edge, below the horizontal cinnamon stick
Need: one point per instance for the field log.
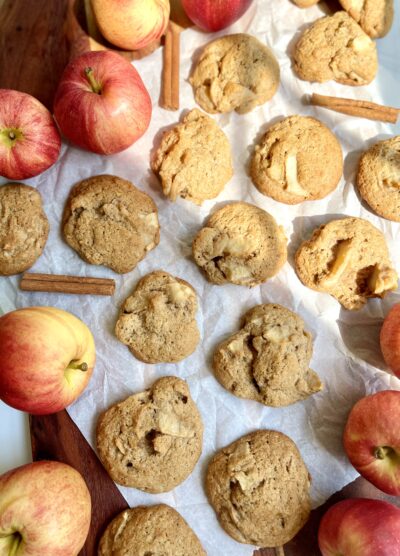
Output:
(37, 348)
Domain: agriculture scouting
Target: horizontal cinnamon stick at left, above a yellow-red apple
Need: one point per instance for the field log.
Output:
(61, 283)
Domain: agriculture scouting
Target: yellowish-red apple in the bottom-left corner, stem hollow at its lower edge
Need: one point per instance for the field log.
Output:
(48, 504)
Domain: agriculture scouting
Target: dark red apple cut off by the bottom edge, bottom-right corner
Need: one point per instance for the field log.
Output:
(360, 527)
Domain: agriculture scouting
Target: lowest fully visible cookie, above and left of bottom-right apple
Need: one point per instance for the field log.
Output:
(259, 489)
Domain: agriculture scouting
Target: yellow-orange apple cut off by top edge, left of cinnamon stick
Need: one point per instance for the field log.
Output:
(131, 24)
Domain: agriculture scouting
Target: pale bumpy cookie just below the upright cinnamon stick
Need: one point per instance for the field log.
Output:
(194, 159)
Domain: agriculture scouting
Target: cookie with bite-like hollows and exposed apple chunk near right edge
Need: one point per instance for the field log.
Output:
(349, 259)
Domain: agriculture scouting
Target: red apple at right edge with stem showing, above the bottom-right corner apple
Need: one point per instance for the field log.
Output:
(372, 440)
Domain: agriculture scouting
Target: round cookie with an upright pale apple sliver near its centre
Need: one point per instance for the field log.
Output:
(298, 159)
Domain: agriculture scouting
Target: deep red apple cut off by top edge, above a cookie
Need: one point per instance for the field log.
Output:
(213, 15)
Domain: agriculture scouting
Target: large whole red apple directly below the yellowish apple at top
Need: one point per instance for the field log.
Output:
(101, 103)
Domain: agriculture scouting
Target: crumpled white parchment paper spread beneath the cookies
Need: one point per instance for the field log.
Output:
(346, 345)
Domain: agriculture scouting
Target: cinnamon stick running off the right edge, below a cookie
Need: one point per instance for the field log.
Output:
(358, 108)
